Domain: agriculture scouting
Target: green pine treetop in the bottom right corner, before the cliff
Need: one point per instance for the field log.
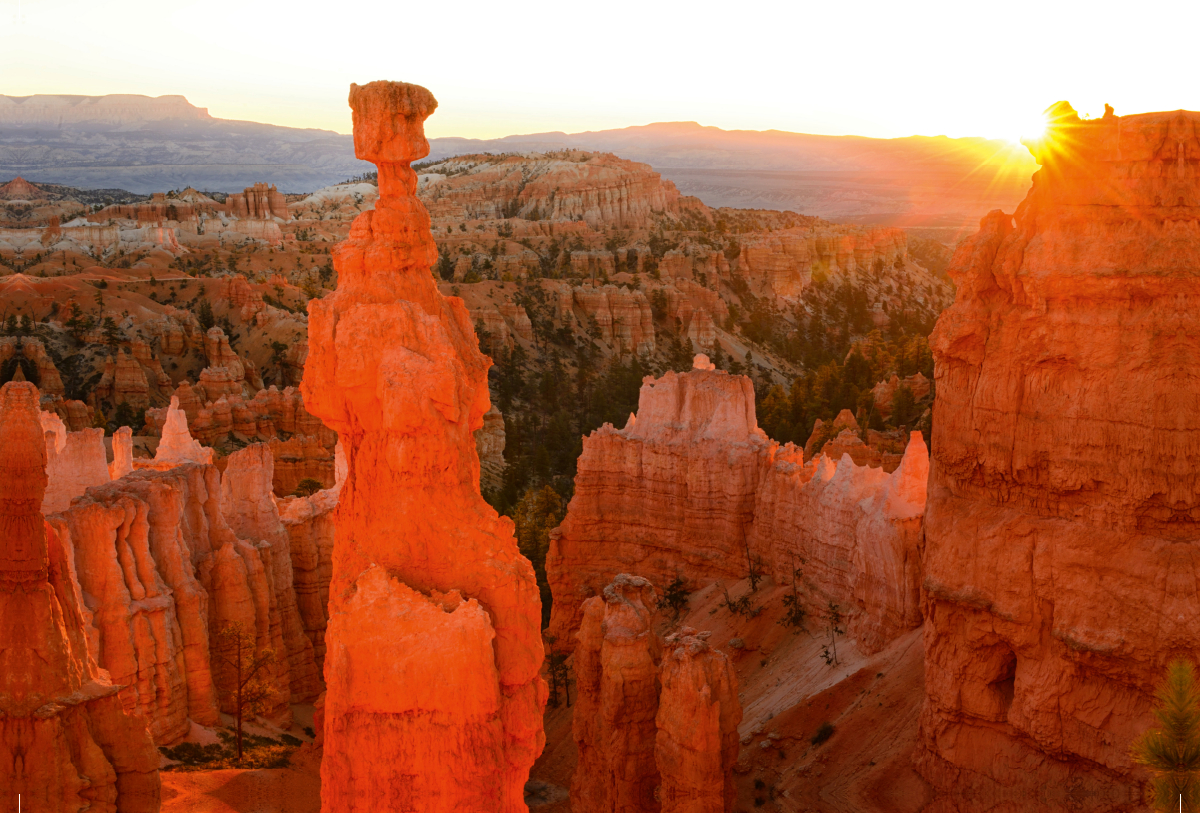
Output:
(1172, 751)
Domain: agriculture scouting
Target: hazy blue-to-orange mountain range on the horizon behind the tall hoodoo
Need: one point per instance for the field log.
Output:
(147, 144)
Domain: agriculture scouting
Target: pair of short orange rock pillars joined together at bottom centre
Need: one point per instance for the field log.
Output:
(657, 727)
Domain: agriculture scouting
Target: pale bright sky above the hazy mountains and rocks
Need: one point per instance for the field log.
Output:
(869, 69)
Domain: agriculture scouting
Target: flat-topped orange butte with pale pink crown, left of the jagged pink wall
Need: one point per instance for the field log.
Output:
(671, 495)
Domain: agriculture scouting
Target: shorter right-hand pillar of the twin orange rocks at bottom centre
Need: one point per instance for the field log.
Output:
(698, 726)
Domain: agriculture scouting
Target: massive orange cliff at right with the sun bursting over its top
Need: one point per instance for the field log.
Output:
(1060, 562)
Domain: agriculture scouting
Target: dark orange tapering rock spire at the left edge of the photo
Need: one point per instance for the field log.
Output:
(65, 742)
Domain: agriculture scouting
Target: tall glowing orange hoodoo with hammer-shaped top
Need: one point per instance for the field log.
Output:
(434, 645)
